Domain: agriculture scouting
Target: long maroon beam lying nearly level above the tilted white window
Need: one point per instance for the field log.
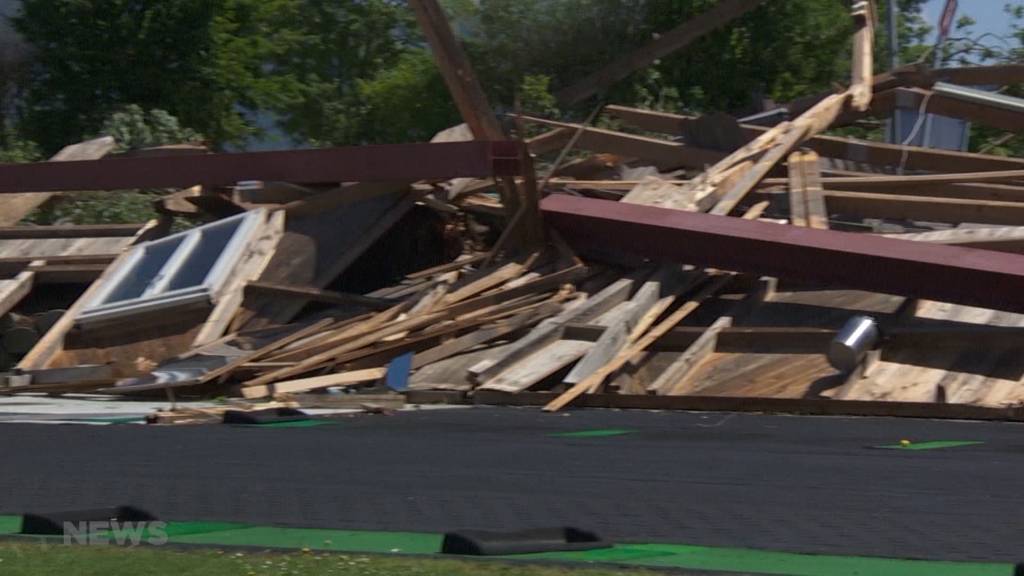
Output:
(366, 163)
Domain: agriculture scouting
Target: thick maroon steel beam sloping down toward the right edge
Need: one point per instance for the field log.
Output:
(953, 274)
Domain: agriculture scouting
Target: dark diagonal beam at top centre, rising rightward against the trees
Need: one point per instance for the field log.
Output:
(663, 46)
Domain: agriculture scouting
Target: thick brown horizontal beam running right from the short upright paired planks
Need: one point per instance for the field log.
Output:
(954, 211)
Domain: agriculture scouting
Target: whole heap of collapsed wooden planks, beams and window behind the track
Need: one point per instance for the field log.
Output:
(724, 265)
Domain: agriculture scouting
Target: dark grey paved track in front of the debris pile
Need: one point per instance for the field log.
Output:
(800, 484)
